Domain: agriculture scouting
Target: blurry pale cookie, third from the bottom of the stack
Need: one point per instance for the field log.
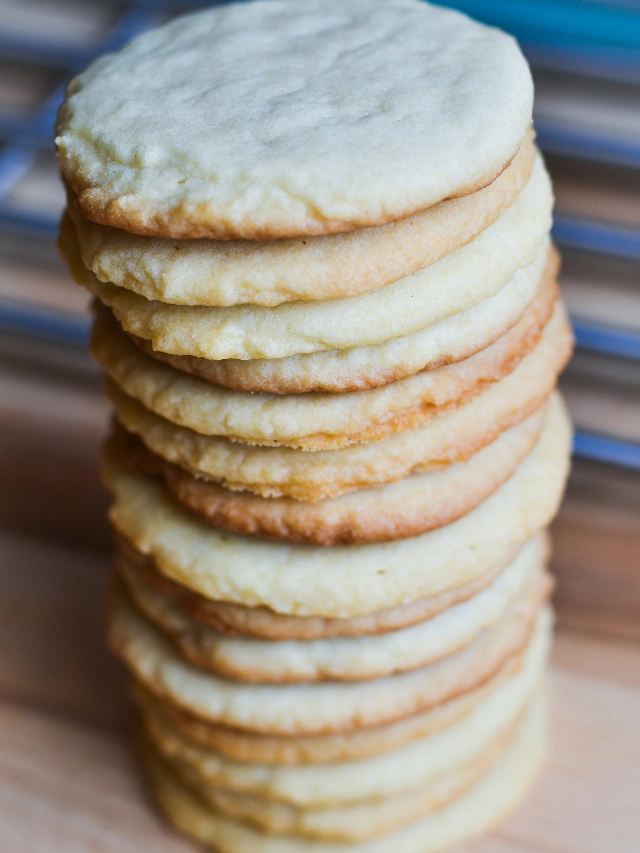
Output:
(325, 792)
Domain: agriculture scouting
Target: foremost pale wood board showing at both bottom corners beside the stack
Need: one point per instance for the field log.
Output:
(69, 787)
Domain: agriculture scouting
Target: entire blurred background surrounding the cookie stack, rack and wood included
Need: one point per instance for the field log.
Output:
(65, 778)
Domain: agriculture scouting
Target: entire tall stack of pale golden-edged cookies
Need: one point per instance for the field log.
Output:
(327, 311)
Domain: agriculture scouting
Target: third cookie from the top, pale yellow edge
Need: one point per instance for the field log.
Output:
(457, 282)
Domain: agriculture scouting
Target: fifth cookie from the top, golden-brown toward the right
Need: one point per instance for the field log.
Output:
(321, 421)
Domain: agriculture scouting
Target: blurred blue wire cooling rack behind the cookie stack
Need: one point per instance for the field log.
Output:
(582, 37)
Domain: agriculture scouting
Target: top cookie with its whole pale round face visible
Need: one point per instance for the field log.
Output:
(287, 118)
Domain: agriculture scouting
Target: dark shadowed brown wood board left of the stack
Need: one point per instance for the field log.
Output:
(52, 652)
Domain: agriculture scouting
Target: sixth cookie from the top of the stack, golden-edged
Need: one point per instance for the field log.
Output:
(452, 436)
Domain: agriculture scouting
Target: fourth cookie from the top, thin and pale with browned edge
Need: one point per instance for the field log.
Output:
(444, 342)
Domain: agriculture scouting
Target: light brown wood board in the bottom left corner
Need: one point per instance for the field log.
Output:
(69, 788)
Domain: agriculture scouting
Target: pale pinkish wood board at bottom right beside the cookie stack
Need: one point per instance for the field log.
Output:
(587, 802)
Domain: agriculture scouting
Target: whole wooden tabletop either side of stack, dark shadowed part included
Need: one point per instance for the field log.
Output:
(67, 784)
